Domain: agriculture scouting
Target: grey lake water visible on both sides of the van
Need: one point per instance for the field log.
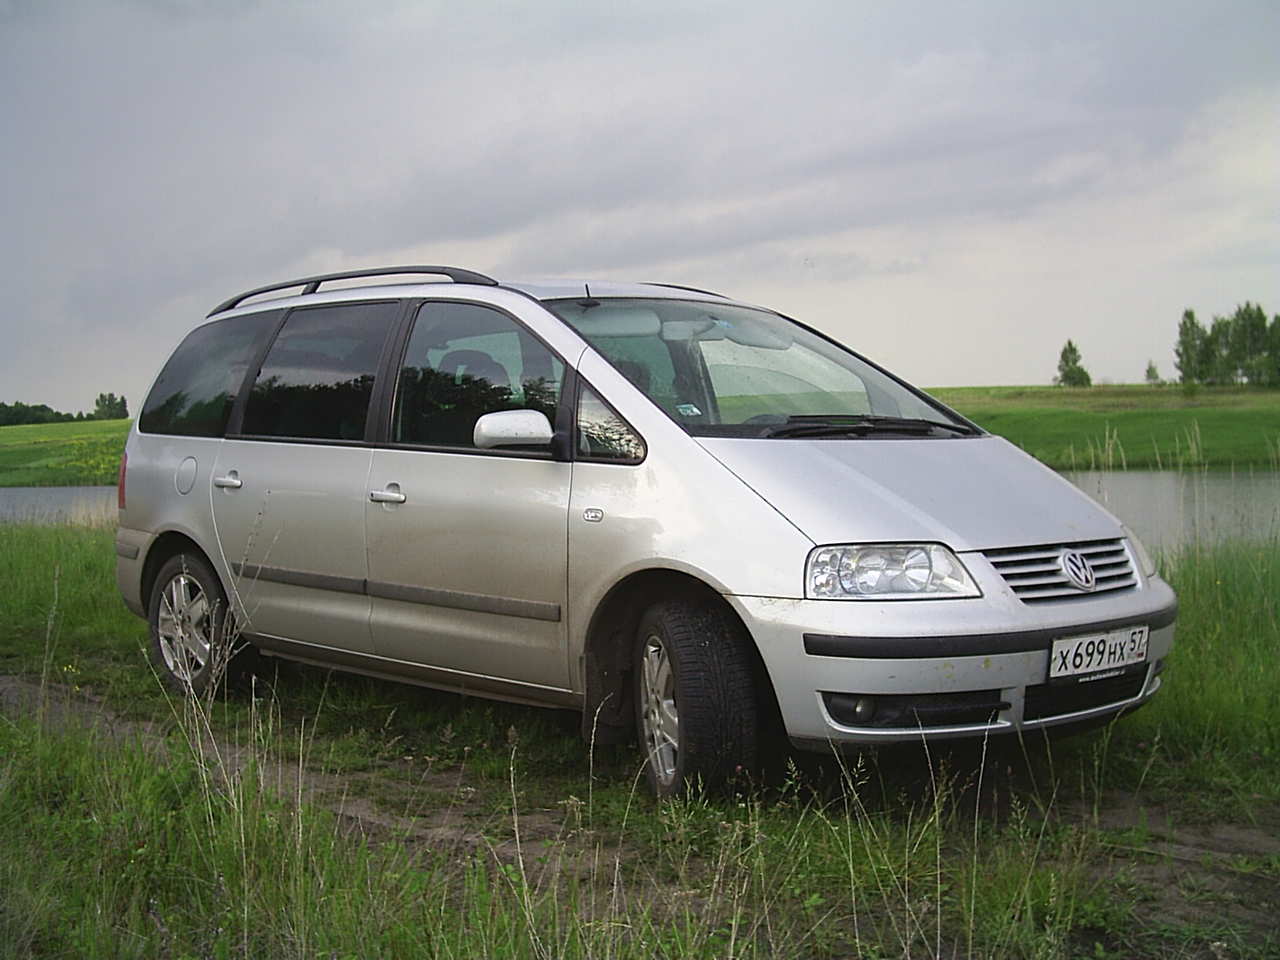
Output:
(1165, 509)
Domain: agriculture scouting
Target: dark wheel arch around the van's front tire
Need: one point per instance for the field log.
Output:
(607, 703)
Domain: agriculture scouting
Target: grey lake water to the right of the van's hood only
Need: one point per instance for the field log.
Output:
(1169, 509)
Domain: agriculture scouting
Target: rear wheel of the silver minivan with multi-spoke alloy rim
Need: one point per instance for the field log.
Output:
(190, 643)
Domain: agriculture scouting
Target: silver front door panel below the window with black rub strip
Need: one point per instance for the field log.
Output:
(469, 573)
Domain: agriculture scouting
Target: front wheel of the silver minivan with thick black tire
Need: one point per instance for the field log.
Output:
(696, 697)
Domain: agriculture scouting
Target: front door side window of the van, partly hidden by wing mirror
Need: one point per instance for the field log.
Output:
(467, 360)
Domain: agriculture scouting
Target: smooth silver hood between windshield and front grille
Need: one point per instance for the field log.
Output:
(971, 493)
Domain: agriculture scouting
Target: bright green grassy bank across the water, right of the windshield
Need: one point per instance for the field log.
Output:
(1130, 427)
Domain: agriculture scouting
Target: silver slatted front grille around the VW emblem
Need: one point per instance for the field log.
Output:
(1036, 574)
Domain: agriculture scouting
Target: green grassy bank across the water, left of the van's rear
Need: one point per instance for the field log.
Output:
(83, 454)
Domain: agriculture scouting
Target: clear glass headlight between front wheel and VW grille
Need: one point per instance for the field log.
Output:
(926, 572)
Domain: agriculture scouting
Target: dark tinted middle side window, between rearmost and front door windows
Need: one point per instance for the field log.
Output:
(319, 374)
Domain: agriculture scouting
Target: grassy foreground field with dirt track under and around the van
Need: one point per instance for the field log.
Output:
(231, 828)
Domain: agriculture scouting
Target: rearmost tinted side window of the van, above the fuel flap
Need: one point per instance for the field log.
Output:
(198, 387)
